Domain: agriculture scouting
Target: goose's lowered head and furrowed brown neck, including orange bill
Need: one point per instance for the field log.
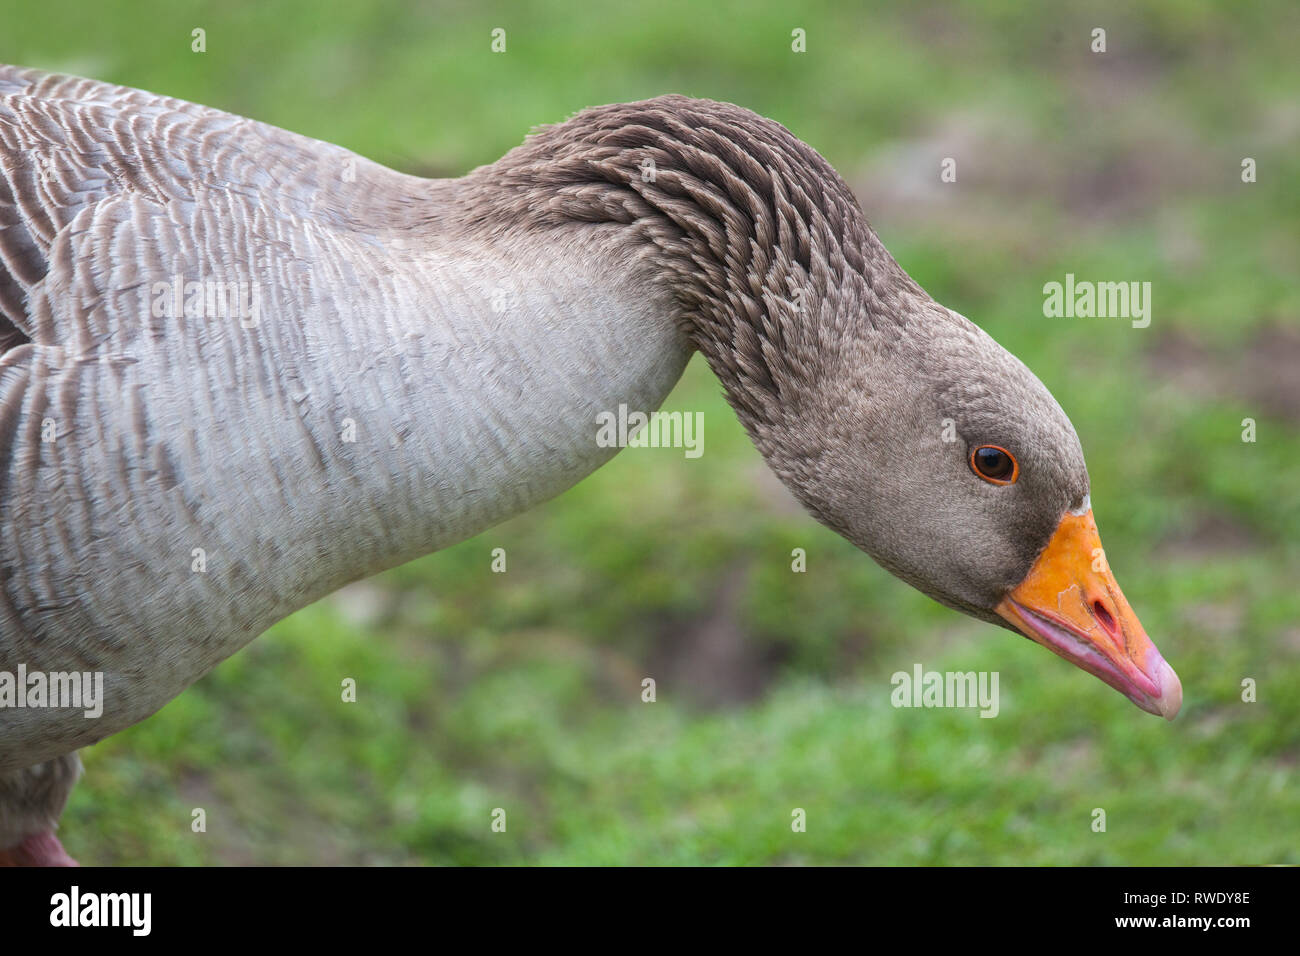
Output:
(895, 422)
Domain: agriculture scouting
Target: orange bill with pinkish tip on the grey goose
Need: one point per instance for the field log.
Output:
(1072, 605)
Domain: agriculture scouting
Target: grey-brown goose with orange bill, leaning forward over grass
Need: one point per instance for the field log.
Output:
(241, 369)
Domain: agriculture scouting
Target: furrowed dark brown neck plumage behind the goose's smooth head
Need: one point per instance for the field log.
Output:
(761, 241)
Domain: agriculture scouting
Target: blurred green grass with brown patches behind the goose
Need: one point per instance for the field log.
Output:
(522, 691)
